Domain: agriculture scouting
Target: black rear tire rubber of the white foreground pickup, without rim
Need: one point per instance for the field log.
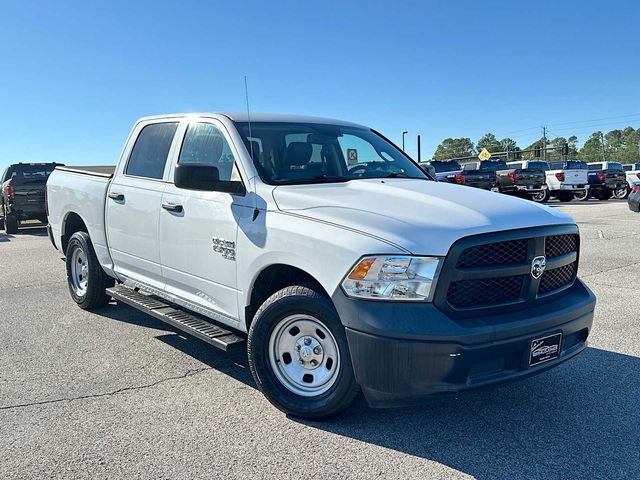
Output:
(97, 280)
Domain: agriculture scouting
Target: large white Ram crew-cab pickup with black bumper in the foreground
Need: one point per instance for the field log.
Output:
(329, 252)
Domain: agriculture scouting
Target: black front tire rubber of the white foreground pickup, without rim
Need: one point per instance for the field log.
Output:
(282, 304)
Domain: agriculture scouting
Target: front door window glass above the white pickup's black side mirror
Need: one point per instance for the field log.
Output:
(205, 144)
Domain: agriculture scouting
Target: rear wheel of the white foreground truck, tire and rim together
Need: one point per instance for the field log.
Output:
(87, 281)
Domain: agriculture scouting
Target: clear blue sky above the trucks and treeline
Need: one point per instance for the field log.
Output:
(75, 75)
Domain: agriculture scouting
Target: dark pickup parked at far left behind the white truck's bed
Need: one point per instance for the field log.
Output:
(22, 194)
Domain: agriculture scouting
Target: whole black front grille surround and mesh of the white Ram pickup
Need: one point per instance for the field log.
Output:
(490, 273)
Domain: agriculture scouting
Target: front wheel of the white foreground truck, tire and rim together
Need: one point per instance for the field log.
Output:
(298, 354)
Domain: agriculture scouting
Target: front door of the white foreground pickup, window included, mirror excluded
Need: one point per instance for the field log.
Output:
(198, 229)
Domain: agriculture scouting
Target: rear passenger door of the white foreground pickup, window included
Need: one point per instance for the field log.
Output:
(133, 202)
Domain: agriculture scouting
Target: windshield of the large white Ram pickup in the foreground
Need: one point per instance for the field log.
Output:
(294, 153)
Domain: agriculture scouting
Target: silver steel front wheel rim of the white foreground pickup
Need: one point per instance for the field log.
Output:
(304, 355)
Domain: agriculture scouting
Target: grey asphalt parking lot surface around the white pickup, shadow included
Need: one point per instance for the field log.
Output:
(117, 394)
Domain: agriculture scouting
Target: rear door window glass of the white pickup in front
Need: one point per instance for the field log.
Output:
(149, 154)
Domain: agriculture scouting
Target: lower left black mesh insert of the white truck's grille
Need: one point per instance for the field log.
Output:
(484, 292)
